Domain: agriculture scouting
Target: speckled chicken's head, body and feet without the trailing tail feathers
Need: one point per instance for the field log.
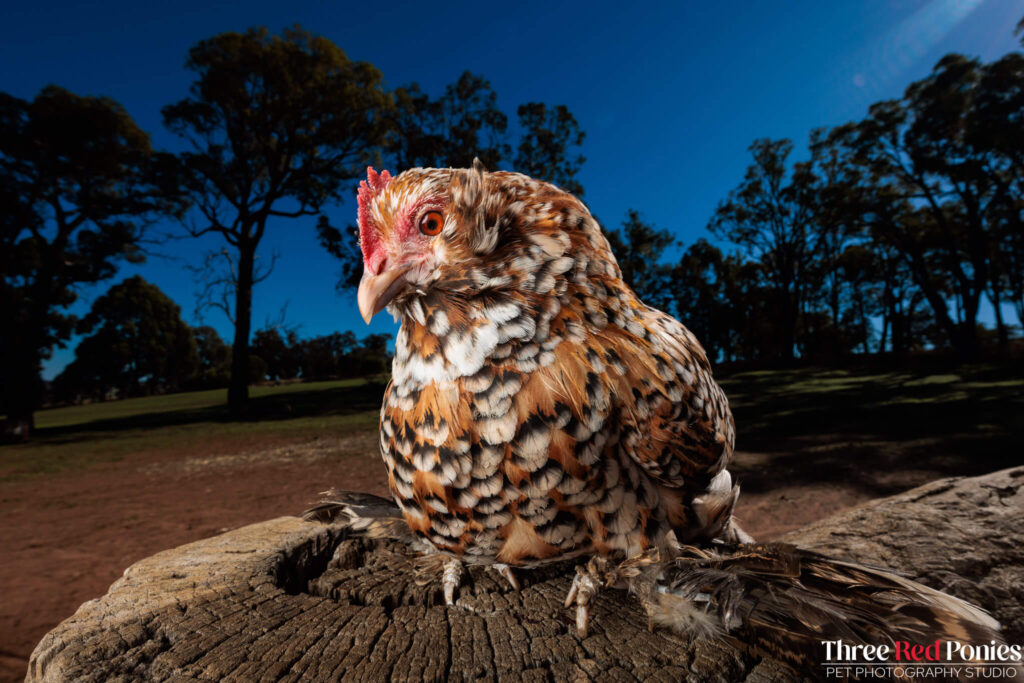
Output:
(538, 410)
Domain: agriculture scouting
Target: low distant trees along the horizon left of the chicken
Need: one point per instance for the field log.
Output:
(137, 345)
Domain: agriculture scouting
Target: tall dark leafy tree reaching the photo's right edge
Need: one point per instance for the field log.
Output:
(936, 178)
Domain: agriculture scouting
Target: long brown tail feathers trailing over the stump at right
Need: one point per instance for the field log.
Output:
(784, 602)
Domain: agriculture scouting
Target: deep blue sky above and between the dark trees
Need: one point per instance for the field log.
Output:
(670, 95)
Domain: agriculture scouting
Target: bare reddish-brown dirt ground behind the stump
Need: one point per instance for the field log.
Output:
(67, 537)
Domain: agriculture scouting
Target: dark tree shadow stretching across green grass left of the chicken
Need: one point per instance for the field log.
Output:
(338, 401)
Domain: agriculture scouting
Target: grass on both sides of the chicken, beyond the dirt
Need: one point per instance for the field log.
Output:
(806, 425)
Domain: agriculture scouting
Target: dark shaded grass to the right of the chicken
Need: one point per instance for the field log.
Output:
(881, 433)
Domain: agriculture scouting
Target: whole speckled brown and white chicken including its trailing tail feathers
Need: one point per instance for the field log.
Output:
(540, 412)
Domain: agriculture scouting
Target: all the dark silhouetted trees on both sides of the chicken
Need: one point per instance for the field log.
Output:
(888, 238)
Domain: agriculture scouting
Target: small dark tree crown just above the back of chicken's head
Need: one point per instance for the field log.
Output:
(545, 147)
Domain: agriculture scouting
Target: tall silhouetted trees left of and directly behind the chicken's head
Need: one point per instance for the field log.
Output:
(274, 127)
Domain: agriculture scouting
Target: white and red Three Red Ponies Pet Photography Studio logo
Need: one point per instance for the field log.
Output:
(940, 660)
